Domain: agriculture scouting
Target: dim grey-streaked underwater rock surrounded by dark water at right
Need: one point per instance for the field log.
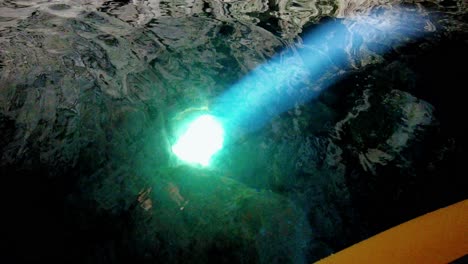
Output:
(378, 139)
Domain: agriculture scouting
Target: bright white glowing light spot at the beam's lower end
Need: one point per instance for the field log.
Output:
(203, 138)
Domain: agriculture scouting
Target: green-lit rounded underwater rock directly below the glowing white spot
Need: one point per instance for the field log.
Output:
(185, 214)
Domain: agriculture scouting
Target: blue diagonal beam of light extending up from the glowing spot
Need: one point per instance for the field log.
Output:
(300, 73)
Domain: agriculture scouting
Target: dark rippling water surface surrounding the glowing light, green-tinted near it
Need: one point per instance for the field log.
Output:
(92, 94)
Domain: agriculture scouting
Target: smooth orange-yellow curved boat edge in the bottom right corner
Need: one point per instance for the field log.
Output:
(437, 237)
